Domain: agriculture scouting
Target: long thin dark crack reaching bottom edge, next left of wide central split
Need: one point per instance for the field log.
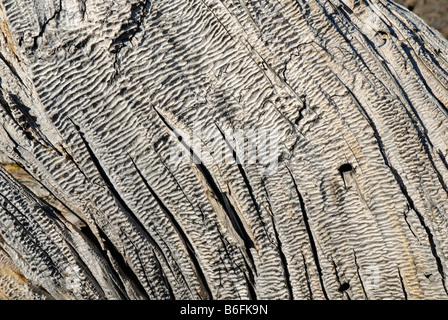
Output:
(191, 252)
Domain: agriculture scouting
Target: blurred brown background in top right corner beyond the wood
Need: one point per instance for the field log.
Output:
(434, 12)
